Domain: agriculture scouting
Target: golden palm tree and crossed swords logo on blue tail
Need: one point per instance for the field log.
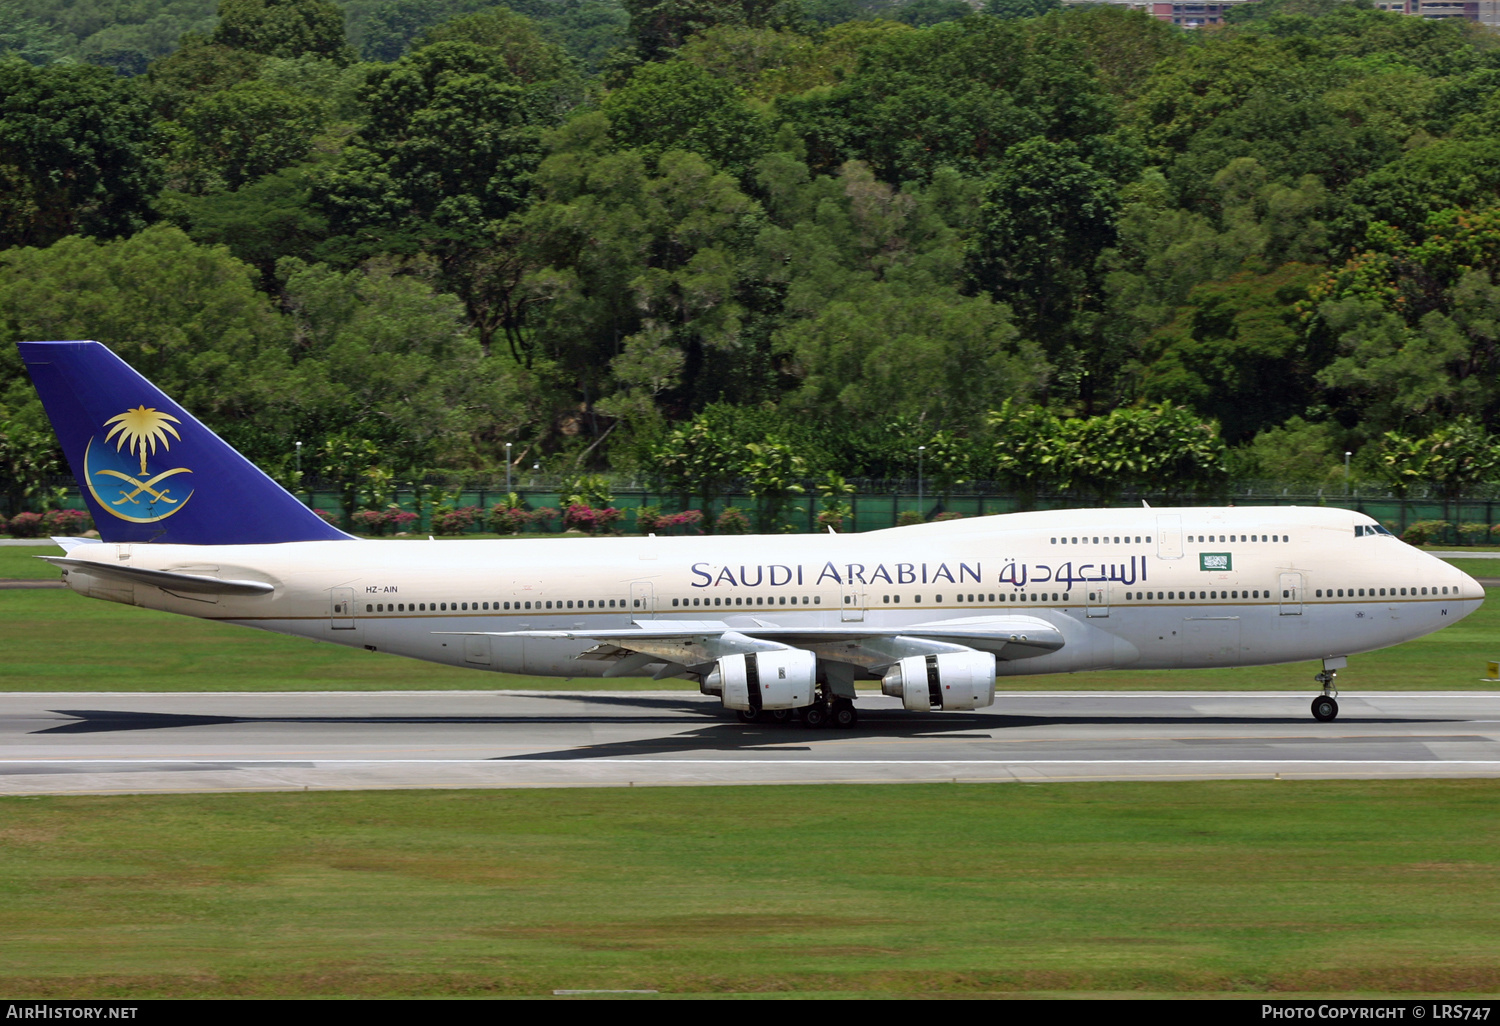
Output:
(131, 496)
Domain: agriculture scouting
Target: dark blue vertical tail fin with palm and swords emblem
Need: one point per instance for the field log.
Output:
(148, 469)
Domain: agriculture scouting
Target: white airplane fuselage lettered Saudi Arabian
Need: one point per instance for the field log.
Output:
(1132, 589)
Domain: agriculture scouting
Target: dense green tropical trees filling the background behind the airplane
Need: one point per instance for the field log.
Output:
(742, 245)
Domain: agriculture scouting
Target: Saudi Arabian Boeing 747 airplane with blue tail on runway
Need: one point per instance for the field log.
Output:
(773, 626)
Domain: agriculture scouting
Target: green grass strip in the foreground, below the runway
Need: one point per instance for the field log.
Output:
(1270, 887)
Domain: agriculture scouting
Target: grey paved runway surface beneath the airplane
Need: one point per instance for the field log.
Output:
(100, 743)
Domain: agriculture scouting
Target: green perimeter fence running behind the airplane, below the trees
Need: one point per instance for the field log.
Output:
(875, 511)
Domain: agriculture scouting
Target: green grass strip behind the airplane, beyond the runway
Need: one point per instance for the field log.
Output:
(56, 641)
